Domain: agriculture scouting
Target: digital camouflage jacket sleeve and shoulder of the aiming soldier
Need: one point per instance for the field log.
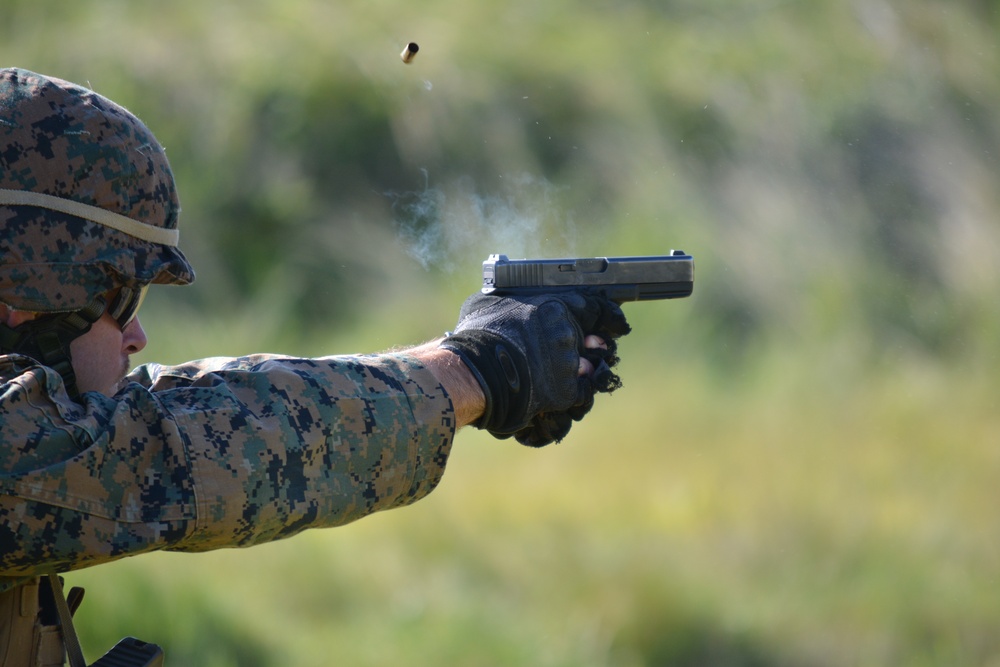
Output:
(210, 454)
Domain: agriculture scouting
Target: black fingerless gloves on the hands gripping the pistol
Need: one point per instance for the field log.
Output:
(525, 352)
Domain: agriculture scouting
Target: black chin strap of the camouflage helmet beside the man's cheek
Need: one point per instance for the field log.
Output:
(46, 339)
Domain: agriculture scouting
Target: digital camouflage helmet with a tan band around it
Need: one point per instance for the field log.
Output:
(87, 198)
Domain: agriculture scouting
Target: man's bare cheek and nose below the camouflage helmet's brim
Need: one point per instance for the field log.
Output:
(101, 356)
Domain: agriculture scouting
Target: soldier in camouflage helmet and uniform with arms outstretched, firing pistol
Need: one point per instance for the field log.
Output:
(98, 463)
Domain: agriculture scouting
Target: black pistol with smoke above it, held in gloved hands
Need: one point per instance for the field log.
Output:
(619, 279)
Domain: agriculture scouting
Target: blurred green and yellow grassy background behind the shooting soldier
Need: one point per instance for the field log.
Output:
(802, 467)
